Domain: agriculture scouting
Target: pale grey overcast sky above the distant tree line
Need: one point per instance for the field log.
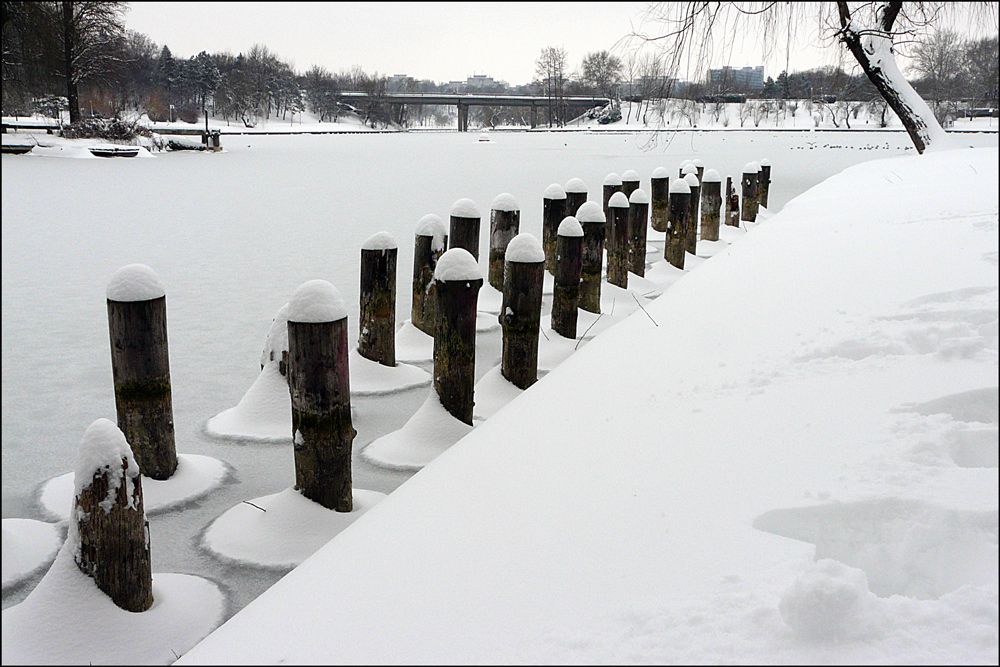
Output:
(437, 41)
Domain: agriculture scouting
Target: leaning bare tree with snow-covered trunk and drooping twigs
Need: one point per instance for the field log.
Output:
(867, 30)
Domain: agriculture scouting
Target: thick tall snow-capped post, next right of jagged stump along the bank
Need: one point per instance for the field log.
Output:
(320, 388)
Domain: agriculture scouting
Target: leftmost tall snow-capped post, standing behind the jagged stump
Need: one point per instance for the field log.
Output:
(140, 366)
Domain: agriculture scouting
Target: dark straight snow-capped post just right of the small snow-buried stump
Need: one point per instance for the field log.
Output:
(377, 337)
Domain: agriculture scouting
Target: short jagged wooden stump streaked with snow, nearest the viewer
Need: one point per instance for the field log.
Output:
(114, 544)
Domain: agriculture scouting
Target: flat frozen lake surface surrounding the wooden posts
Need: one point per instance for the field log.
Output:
(232, 235)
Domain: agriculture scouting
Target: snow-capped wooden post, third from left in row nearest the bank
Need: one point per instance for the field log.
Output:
(458, 281)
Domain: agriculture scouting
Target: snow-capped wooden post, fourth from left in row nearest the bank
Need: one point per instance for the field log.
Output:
(521, 313)
